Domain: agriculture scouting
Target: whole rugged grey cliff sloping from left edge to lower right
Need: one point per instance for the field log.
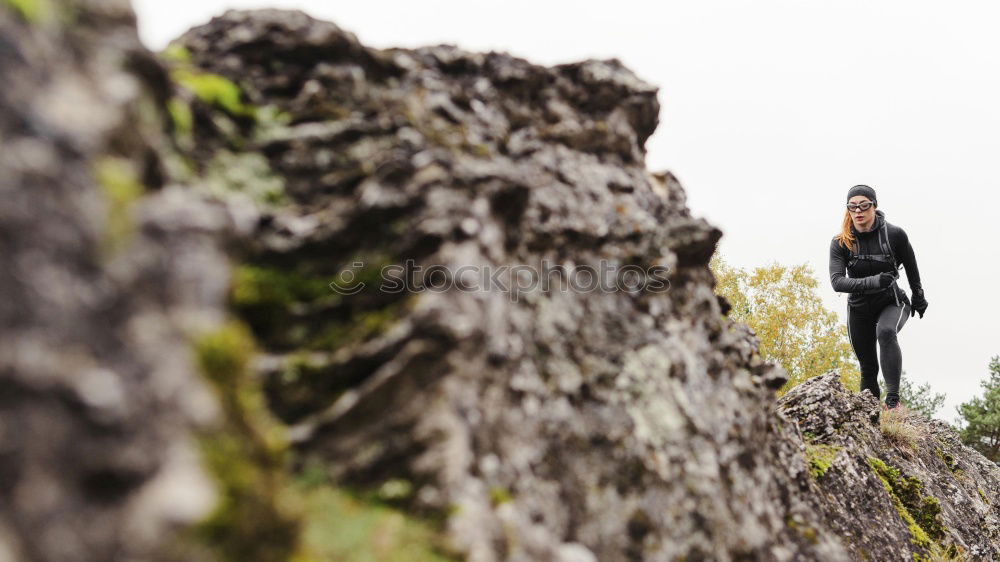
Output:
(267, 155)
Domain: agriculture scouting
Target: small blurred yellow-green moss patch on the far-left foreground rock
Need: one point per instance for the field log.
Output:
(118, 181)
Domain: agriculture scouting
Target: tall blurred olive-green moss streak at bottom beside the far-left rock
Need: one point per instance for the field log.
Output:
(255, 517)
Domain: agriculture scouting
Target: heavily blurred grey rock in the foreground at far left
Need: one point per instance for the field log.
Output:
(103, 269)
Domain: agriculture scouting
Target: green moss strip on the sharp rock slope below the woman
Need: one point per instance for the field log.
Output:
(920, 513)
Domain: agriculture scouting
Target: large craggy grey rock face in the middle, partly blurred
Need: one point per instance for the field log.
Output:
(553, 425)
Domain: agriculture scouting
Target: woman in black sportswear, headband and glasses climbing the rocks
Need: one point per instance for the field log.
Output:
(870, 250)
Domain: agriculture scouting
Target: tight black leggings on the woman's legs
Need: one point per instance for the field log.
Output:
(879, 322)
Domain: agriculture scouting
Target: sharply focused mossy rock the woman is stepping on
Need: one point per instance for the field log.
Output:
(949, 491)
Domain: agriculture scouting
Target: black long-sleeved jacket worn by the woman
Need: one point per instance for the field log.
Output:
(863, 277)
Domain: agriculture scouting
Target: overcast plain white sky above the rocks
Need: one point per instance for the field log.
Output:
(771, 111)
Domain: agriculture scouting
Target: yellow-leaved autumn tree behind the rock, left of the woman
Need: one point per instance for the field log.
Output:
(783, 307)
